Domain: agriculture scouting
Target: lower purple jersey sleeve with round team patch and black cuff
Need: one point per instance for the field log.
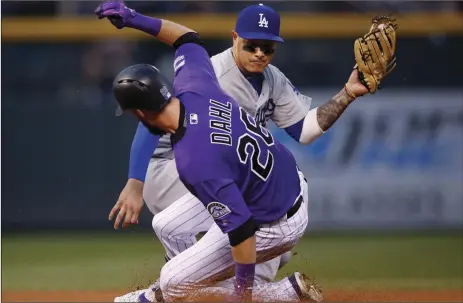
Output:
(224, 202)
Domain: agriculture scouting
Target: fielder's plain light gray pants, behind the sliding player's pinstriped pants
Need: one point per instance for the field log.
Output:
(180, 216)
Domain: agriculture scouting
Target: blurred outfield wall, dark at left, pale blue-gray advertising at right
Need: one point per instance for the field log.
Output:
(394, 160)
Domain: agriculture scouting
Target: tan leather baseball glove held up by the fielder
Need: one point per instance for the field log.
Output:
(375, 52)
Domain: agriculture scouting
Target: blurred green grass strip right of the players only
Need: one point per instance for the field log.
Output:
(414, 261)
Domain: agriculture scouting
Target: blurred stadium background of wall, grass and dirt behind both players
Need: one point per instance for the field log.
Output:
(385, 182)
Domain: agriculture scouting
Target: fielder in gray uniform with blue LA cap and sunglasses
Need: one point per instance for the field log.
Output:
(262, 90)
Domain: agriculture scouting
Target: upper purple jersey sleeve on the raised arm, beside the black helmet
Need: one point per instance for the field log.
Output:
(193, 70)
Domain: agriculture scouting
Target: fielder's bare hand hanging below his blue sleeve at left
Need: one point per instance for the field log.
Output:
(129, 204)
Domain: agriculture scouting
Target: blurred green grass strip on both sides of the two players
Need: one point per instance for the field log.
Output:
(96, 261)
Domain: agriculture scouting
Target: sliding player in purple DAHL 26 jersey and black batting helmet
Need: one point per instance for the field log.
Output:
(247, 180)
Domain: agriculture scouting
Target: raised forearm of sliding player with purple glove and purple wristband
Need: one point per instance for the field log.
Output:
(121, 16)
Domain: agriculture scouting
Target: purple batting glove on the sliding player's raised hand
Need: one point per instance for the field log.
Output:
(116, 12)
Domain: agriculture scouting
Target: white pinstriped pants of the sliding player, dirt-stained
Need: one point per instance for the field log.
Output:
(210, 259)
